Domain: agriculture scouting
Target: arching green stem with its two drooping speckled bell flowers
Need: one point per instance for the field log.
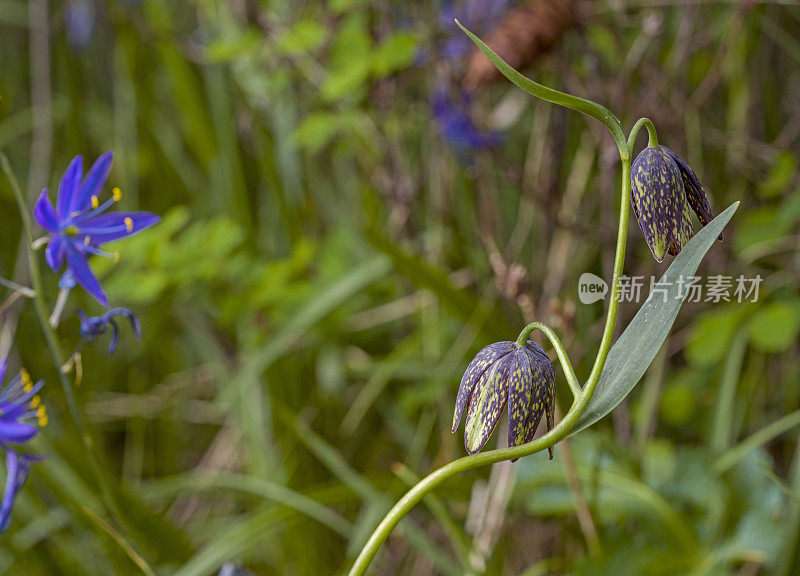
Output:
(663, 190)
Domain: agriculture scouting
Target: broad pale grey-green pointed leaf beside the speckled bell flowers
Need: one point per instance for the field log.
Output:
(635, 349)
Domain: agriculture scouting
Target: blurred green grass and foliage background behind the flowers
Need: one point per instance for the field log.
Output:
(327, 265)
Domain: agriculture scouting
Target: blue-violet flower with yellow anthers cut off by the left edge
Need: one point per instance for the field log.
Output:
(22, 415)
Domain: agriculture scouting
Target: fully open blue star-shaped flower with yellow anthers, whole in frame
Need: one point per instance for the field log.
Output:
(79, 226)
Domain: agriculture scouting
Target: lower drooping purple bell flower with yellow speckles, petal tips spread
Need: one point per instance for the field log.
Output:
(506, 373)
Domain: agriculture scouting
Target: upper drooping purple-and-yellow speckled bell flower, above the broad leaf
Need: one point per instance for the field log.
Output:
(664, 192)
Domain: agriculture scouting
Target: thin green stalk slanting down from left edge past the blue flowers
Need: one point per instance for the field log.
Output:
(57, 355)
